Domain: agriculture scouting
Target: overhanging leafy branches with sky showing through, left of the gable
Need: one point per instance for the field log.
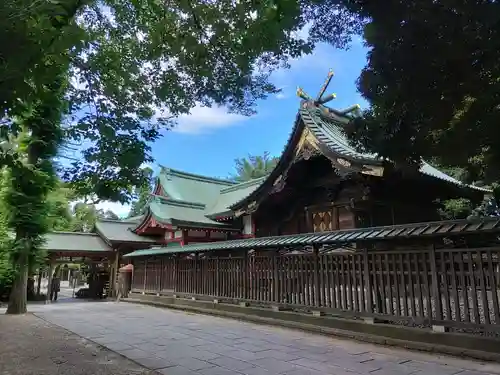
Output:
(139, 57)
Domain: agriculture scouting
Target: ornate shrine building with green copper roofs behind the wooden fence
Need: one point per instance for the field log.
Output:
(320, 184)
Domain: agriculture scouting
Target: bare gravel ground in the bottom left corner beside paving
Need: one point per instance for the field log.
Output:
(32, 346)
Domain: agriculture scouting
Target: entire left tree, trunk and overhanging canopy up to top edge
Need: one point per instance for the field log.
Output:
(126, 59)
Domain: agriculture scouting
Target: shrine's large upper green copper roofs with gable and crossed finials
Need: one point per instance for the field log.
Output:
(318, 129)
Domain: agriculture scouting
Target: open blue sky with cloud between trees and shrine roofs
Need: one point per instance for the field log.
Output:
(207, 141)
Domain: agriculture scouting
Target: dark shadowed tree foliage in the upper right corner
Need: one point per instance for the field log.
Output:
(432, 83)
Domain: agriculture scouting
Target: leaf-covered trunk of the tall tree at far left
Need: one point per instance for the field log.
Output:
(31, 177)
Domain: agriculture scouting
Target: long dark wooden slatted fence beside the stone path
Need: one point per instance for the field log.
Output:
(451, 287)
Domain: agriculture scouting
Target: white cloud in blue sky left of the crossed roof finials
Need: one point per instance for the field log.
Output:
(206, 119)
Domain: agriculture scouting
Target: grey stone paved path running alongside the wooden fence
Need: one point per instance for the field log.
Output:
(179, 343)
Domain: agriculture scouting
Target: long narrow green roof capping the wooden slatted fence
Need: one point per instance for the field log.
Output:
(340, 237)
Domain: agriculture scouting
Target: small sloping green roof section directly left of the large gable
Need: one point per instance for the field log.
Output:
(231, 195)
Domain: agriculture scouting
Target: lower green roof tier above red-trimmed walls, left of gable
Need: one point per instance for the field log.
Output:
(169, 211)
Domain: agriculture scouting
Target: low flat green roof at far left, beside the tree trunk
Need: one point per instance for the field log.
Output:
(75, 242)
